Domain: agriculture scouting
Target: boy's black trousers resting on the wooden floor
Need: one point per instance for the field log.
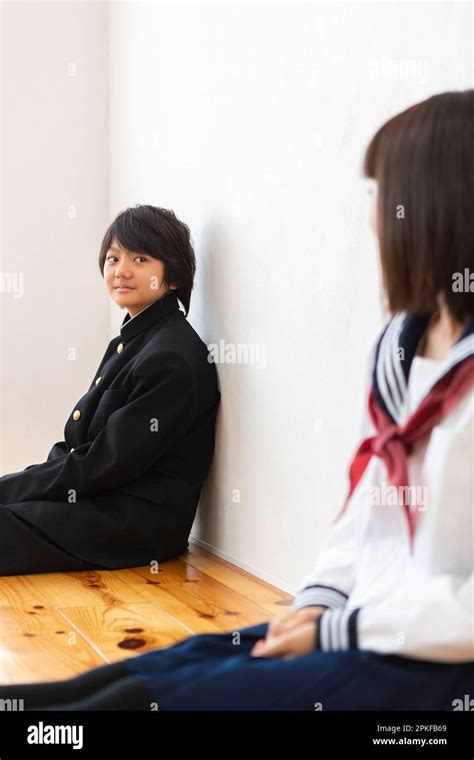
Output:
(92, 534)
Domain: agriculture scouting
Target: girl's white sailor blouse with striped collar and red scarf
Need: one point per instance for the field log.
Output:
(396, 570)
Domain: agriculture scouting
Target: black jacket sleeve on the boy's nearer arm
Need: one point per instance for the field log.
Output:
(159, 410)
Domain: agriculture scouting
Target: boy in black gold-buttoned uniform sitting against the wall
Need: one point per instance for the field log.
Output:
(123, 486)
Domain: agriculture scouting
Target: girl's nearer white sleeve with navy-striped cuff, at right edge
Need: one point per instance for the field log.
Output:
(430, 615)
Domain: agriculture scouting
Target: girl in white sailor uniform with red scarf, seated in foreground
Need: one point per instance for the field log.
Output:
(385, 619)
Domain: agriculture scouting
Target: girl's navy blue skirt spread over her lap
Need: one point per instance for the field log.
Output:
(216, 672)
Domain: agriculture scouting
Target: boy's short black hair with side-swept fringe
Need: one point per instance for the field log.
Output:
(160, 234)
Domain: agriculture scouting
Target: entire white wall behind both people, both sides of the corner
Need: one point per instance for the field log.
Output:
(250, 121)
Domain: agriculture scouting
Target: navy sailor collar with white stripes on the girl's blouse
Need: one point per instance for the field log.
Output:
(394, 356)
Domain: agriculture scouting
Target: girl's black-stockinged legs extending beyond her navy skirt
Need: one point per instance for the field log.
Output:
(109, 687)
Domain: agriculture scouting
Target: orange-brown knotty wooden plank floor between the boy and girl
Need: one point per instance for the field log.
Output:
(57, 625)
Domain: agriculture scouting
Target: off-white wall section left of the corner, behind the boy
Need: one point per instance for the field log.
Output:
(53, 212)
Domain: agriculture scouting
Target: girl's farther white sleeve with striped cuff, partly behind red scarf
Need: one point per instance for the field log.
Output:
(332, 578)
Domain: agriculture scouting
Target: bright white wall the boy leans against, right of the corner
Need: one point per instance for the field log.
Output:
(250, 120)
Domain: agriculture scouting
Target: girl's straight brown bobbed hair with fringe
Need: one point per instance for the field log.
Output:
(423, 161)
